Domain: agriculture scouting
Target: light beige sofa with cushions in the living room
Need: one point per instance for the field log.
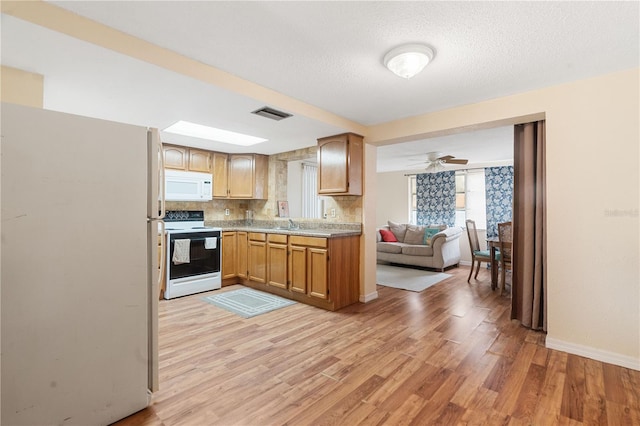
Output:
(442, 252)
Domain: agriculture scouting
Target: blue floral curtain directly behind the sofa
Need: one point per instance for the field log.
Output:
(436, 198)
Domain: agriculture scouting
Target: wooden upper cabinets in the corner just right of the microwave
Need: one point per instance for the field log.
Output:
(241, 176)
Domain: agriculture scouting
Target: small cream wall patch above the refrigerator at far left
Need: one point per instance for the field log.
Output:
(21, 87)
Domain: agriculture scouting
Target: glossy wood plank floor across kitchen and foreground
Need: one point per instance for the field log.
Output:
(448, 355)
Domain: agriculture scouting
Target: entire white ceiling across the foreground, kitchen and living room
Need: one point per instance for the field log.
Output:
(327, 54)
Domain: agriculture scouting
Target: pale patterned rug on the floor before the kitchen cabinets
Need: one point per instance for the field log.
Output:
(247, 302)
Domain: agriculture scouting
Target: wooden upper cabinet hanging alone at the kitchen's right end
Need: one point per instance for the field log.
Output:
(340, 164)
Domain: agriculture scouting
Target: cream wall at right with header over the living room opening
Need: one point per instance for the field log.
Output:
(592, 226)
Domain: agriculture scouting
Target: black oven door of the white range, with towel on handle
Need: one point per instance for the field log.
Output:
(203, 259)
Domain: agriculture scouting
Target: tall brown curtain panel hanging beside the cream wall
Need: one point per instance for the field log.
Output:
(529, 288)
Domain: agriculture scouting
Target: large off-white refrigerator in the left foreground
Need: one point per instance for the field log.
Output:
(79, 224)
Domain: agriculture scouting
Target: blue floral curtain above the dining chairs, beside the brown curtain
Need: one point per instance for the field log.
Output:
(499, 193)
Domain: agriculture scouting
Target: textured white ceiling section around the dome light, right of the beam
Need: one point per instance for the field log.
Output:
(329, 53)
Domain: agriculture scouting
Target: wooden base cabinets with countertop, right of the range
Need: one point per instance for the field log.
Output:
(316, 266)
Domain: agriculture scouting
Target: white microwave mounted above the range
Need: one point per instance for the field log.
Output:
(187, 186)
